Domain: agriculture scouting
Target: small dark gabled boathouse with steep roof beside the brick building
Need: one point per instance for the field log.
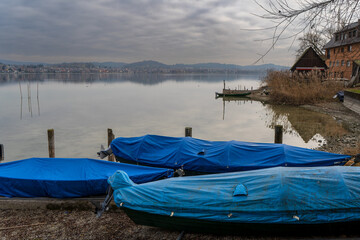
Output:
(311, 60)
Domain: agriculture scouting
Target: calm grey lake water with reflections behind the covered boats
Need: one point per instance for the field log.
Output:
(81, 107)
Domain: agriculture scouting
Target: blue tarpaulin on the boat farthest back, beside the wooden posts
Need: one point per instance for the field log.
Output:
(217, 156)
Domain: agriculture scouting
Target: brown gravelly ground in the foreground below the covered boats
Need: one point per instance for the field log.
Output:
(83, 224)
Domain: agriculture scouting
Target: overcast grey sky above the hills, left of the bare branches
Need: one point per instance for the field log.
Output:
(169, 31)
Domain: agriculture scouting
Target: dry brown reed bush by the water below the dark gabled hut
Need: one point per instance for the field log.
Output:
(297, 89)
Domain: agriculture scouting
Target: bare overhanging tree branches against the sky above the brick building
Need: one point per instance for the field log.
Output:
(306, 16)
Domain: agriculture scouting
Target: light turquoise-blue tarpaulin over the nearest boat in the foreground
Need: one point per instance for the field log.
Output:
(293, 195)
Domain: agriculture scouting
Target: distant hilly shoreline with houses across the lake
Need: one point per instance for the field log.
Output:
(138, 67)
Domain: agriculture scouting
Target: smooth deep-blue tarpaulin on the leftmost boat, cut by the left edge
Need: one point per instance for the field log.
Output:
(67, 177)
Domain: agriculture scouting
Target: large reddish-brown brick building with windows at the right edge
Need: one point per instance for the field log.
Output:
(343, 53)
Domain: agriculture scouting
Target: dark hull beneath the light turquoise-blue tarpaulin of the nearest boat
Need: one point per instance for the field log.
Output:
(203, 226)
